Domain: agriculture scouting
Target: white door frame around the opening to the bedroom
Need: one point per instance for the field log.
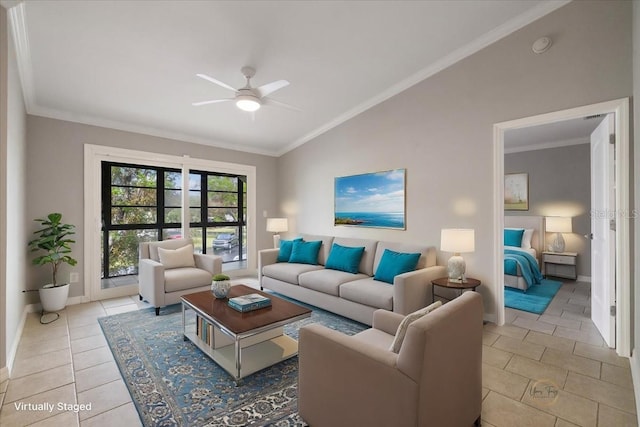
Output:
(620, 107)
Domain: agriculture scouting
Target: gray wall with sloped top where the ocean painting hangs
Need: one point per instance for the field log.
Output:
(441, 130)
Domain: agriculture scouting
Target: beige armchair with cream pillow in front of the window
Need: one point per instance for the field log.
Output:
(169, 269)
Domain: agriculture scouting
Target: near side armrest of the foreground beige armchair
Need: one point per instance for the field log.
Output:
(336, 371)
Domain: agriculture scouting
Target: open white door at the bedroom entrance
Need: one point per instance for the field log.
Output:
(603, 280)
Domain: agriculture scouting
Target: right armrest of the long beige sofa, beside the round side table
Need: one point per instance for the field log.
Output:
(412, 290)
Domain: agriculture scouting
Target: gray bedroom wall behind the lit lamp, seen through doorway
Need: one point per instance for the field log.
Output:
(559, 185)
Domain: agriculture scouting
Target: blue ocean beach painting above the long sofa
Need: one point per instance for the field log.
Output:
(371, 200)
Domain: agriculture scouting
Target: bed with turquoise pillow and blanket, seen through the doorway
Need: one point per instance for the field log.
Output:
(521, 262)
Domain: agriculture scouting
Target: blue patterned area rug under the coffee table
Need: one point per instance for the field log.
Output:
(173, 383)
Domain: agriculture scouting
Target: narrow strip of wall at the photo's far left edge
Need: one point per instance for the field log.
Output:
(13, 233)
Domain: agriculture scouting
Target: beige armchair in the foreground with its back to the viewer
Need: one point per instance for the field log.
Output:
(434, 380)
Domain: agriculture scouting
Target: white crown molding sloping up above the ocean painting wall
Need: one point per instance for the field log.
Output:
(447, 61)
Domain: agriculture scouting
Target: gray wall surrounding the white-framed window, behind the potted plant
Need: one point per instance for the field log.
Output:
(55, 179)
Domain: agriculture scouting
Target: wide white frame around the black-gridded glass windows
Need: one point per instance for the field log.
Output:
(93, 157)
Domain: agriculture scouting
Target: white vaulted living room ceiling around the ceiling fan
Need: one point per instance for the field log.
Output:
(132, 65)
